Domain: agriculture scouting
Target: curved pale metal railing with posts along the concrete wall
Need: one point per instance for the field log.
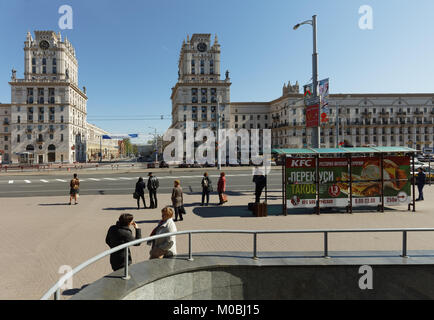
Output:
(56, 288)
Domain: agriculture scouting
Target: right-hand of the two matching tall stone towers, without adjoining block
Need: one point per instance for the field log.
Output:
(200, 90)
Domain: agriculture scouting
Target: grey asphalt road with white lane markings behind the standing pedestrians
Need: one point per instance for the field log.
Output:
(123, 183)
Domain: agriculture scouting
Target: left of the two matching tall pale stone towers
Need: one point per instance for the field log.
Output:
(48, 110)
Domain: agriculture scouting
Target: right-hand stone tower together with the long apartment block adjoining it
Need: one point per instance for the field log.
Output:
(363, 119)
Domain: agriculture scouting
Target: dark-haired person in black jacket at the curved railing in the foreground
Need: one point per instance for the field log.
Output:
(120, 234)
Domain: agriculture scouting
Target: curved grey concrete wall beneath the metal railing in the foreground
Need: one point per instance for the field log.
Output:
(296, 277)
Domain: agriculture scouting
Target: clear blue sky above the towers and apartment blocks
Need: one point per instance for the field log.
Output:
(141, 42)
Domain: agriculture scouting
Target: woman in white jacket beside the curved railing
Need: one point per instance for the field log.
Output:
(164, 247)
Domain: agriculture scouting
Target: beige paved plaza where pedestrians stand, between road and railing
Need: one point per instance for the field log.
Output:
(39, 235)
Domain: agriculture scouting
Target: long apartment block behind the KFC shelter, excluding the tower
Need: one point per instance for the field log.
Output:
(362, 120)
